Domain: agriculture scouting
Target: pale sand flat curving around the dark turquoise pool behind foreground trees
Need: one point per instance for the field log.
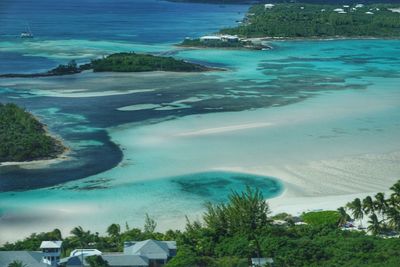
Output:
(326, 151)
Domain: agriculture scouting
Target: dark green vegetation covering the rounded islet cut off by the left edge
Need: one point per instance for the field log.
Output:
(23, 137)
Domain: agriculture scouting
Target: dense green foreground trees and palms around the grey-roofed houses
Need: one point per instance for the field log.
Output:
(233, 232)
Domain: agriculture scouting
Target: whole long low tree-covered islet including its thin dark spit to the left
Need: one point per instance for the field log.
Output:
(121, 62)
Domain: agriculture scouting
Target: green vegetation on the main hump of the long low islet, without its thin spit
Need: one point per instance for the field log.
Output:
(132, 62)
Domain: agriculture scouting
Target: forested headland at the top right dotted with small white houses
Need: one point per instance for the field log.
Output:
(321, 21)
